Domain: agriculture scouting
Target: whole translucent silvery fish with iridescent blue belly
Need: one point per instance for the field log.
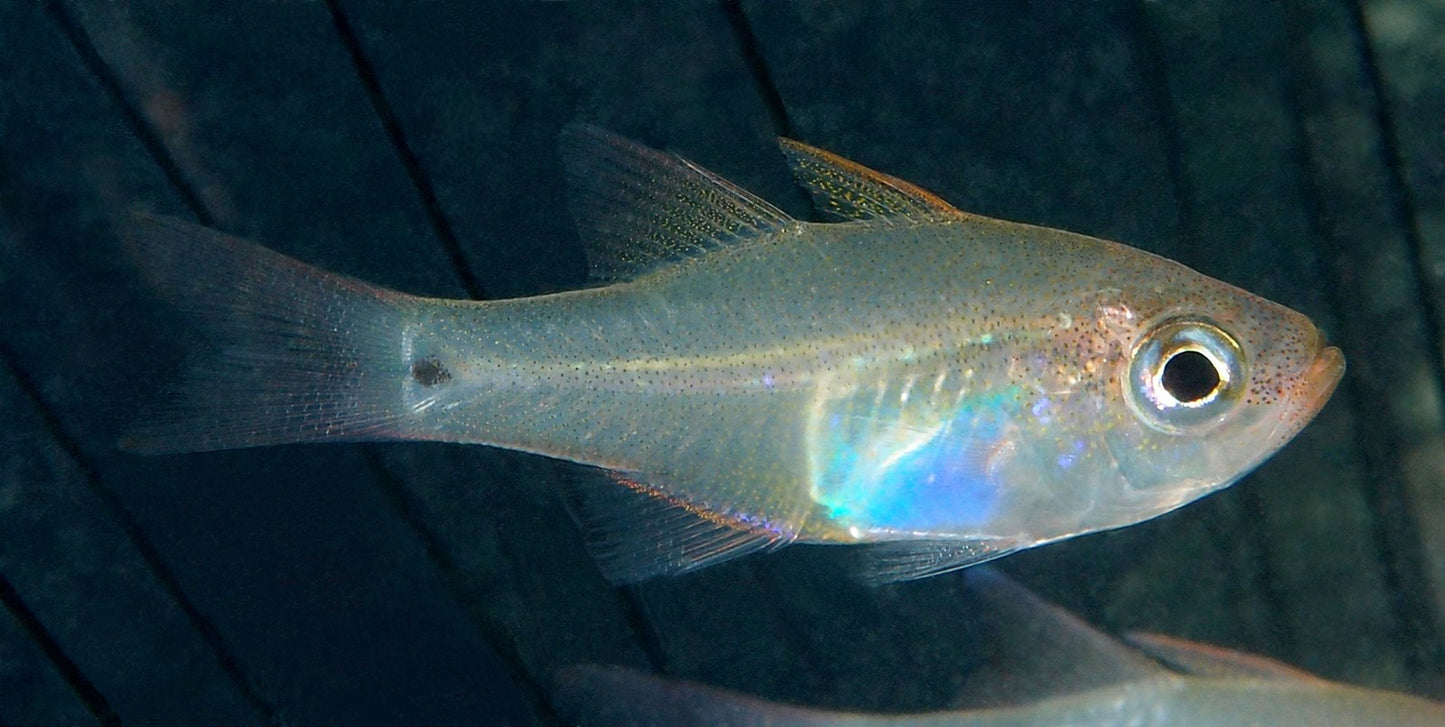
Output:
(936, 387)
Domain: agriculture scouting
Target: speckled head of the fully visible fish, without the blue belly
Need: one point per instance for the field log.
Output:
(1206, 382)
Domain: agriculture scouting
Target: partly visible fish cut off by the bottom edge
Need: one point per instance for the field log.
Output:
(1045, 668)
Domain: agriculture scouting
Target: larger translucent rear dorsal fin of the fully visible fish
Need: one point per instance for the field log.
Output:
(638, 209)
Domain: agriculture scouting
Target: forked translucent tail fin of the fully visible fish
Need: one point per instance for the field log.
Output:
(296, 353)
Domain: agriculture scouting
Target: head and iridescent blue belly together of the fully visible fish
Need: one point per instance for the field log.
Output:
(1115, 405)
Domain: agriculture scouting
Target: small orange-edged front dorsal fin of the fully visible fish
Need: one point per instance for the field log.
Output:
(853, 192)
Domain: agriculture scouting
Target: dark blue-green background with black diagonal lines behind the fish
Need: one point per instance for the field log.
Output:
(1293, 150)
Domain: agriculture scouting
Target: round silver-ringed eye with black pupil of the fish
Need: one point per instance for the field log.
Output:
(1184, 375)
